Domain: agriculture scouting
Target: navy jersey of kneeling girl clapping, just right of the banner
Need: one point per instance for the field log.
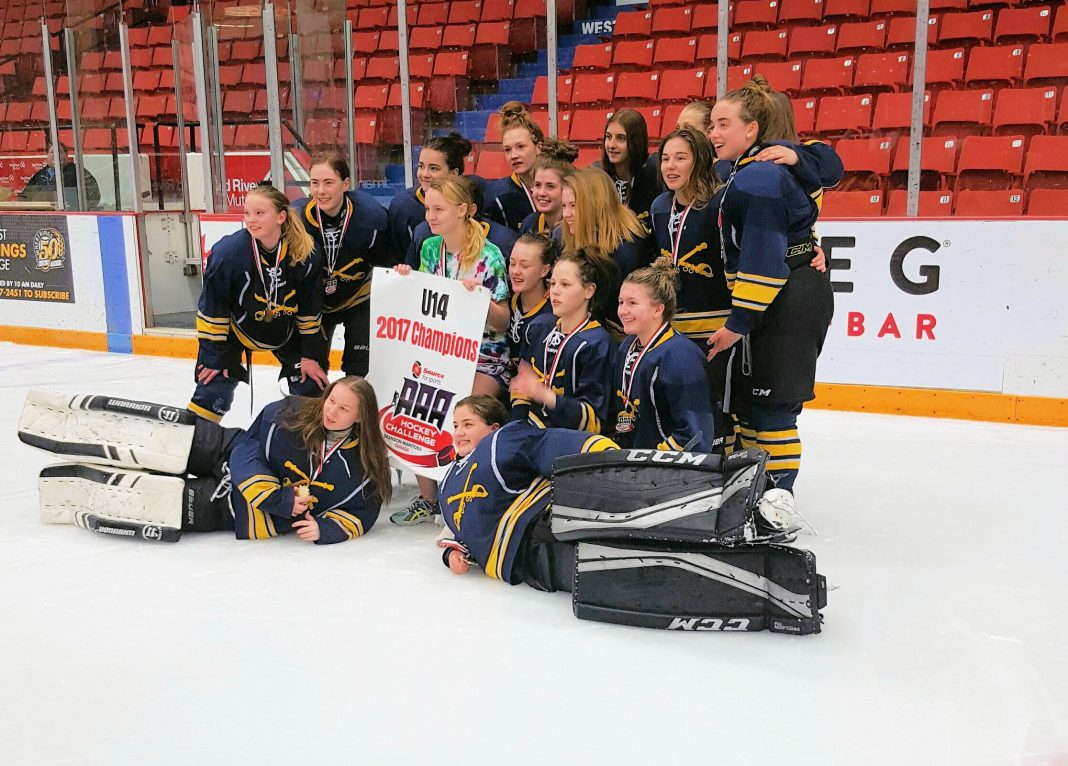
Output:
(580, 369)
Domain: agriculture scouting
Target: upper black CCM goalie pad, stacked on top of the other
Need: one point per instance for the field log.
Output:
(650, 495)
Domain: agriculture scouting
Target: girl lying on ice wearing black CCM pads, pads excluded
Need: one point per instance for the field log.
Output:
(496, 495)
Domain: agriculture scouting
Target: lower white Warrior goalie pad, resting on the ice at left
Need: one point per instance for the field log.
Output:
(133, 501)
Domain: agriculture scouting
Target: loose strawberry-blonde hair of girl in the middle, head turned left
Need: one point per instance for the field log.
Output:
(603, 222)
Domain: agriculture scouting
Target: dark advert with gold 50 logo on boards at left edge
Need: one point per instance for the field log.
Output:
(36, 259)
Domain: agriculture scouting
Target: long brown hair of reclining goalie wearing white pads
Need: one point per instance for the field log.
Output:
(305, 417)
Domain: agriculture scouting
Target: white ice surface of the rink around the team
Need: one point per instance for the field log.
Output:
(946, 640)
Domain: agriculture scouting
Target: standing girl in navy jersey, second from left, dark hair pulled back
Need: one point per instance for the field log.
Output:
(350, 229)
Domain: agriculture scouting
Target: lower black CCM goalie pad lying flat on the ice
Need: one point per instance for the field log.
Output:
(700, 588)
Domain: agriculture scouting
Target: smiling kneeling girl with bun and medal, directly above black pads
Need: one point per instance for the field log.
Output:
(661, 388)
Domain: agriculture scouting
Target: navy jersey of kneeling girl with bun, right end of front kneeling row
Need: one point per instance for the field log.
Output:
(662, 395)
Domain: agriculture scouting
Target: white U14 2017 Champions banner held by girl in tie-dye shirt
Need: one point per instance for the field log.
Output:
(426, 334)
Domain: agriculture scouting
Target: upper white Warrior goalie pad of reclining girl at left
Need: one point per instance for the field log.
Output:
(108, 431)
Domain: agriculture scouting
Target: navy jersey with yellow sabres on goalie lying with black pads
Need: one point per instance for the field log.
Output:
(491, 498)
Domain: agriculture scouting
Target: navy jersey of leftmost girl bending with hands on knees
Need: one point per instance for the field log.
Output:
(258, 308)
